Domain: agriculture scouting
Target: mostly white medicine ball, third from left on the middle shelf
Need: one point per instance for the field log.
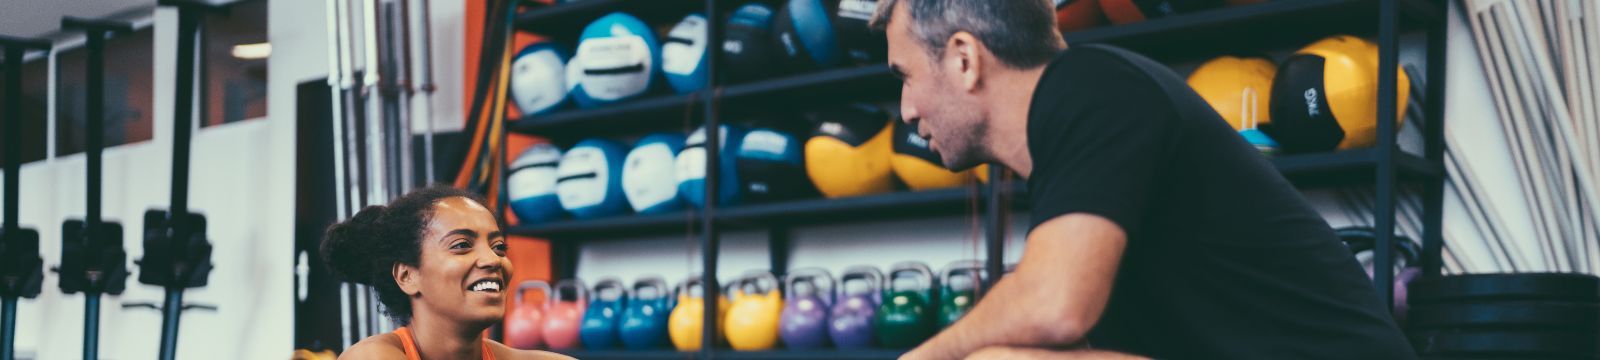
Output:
(649, 175)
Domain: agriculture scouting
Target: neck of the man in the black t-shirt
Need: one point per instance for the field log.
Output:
(1010, 100)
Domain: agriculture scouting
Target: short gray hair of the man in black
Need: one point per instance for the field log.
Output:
(1020, 33)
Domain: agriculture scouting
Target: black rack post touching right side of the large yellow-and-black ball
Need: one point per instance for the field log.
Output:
(1385, 214)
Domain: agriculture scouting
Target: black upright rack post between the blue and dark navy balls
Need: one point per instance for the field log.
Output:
(710, 233)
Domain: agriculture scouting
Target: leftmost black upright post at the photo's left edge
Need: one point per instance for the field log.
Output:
(15, 50)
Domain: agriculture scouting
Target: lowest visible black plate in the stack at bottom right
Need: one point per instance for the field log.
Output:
(1502, 343)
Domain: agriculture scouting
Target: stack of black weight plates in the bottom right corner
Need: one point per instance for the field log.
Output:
(1506, 316)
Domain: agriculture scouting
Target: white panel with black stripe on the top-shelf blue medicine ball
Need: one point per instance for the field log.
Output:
(614, 68)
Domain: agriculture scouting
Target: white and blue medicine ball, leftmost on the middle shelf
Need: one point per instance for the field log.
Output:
(532, 185)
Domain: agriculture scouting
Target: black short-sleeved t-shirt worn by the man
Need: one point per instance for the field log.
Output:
(1225, 258)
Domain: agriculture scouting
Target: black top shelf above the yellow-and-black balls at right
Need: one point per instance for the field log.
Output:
(1252, 28)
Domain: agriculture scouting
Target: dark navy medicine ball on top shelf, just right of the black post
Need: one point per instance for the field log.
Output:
(748, 47)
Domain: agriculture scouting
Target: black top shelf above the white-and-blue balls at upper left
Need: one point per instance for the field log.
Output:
(569, 20)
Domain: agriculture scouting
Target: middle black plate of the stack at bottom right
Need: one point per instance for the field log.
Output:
(1522, 314)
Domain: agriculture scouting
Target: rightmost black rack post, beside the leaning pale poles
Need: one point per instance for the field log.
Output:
(1434, 138)
